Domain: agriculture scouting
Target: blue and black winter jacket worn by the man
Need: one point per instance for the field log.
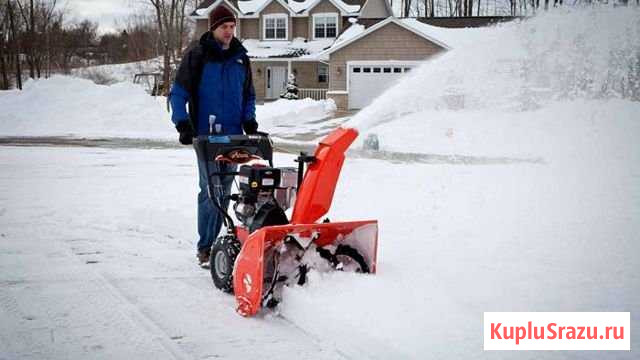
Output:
(215, 82)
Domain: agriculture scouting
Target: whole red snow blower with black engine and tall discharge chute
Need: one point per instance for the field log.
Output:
(267, 251)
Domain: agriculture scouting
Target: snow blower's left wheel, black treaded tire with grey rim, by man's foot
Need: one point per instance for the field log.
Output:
(223, 256)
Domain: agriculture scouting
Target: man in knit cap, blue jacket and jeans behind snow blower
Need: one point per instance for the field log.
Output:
(214, 78)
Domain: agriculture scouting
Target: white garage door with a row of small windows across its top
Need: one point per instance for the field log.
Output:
(366, 82)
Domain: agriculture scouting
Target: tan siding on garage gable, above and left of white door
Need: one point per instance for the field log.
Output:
(391, 42)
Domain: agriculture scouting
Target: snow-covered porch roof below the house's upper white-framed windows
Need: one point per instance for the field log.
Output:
(298, 48)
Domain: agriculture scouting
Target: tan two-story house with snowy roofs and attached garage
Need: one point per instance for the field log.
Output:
(346, 50)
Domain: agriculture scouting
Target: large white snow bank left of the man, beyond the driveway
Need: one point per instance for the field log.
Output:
(66, 106)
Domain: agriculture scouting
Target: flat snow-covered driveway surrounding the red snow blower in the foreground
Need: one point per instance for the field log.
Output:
(97, 259)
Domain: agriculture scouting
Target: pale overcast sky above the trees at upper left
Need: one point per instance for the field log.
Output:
(107, 13)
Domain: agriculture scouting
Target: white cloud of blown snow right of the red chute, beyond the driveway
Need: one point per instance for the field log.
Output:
(557, 68)
